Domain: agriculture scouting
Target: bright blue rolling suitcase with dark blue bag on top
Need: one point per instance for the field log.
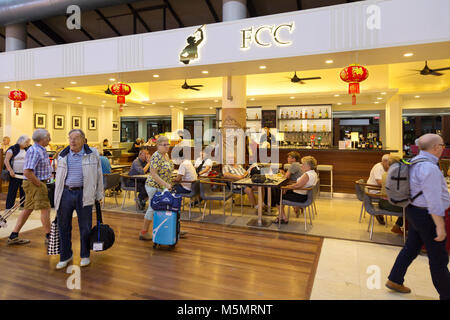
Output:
(166, 219)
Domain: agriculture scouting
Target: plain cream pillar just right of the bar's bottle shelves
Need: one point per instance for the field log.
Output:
(394, 125)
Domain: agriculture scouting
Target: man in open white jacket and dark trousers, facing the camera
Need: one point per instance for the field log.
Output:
(79, 183)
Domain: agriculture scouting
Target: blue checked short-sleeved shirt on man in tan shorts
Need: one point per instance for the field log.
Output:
(37, 160)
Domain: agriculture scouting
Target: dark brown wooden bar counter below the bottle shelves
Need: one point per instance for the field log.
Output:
(348, 165)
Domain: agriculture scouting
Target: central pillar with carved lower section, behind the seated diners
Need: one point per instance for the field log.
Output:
(234, 104)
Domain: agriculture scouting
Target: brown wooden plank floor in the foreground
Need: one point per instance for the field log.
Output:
(212, 262)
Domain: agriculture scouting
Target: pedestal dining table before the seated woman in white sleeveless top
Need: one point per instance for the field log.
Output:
(272, 181)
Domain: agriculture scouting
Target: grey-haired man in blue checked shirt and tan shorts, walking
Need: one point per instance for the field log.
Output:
(37, 171)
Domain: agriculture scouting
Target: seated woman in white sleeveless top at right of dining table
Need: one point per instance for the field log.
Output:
(307, 180)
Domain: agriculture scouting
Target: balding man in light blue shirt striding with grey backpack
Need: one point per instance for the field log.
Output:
(425, 216)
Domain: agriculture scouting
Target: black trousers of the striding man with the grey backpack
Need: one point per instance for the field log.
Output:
(422, 231)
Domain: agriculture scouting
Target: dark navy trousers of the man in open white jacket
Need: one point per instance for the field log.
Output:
(73, 200)
